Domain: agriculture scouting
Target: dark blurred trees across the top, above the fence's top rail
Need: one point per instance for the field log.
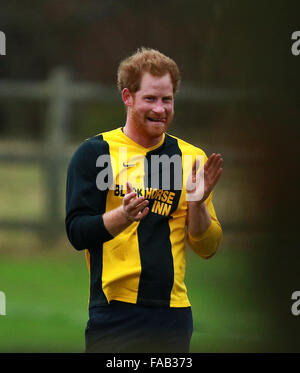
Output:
(216, 43)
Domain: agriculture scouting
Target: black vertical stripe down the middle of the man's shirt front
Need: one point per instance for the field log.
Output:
(157, 275)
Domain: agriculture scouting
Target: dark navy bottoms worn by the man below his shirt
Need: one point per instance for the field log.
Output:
(125, 327)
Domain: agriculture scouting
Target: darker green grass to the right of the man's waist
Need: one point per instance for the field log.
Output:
(228, 309)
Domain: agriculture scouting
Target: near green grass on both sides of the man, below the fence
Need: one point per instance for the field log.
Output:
(47, 296)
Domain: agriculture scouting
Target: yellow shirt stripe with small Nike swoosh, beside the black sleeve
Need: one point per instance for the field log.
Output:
(121, 260)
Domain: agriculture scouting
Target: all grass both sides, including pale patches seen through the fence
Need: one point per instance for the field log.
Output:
(47, 284)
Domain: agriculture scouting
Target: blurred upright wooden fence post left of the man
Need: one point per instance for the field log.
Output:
(56, 137)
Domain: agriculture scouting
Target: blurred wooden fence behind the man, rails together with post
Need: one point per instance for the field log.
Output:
(60, 92)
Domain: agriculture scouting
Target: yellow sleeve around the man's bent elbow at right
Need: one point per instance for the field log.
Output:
(207, 244)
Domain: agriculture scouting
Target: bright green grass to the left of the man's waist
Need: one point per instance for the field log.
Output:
(46, 303)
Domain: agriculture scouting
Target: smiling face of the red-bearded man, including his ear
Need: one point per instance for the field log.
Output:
(150, 109)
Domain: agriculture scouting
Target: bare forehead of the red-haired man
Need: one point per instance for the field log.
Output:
(156, 84)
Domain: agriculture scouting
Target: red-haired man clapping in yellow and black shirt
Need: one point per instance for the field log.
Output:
(130, 205)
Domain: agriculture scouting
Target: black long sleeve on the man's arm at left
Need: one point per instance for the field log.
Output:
(85, 203)
